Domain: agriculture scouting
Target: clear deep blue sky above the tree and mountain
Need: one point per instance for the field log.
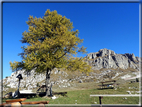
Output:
(114, 26)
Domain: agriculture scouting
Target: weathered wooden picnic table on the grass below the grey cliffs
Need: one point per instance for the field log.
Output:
(108, 84)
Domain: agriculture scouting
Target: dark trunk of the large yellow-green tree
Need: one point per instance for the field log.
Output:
(47, 83)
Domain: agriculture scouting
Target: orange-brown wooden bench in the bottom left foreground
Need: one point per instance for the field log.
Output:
(19, 103)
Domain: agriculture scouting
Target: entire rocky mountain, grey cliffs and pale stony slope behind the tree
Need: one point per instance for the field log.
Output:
(106, 64)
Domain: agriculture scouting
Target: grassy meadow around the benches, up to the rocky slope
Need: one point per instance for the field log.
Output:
(80, 94)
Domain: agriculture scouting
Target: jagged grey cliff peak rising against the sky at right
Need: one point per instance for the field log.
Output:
(106, 58)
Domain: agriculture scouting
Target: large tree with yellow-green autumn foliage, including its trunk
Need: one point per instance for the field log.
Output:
(50, 43)
